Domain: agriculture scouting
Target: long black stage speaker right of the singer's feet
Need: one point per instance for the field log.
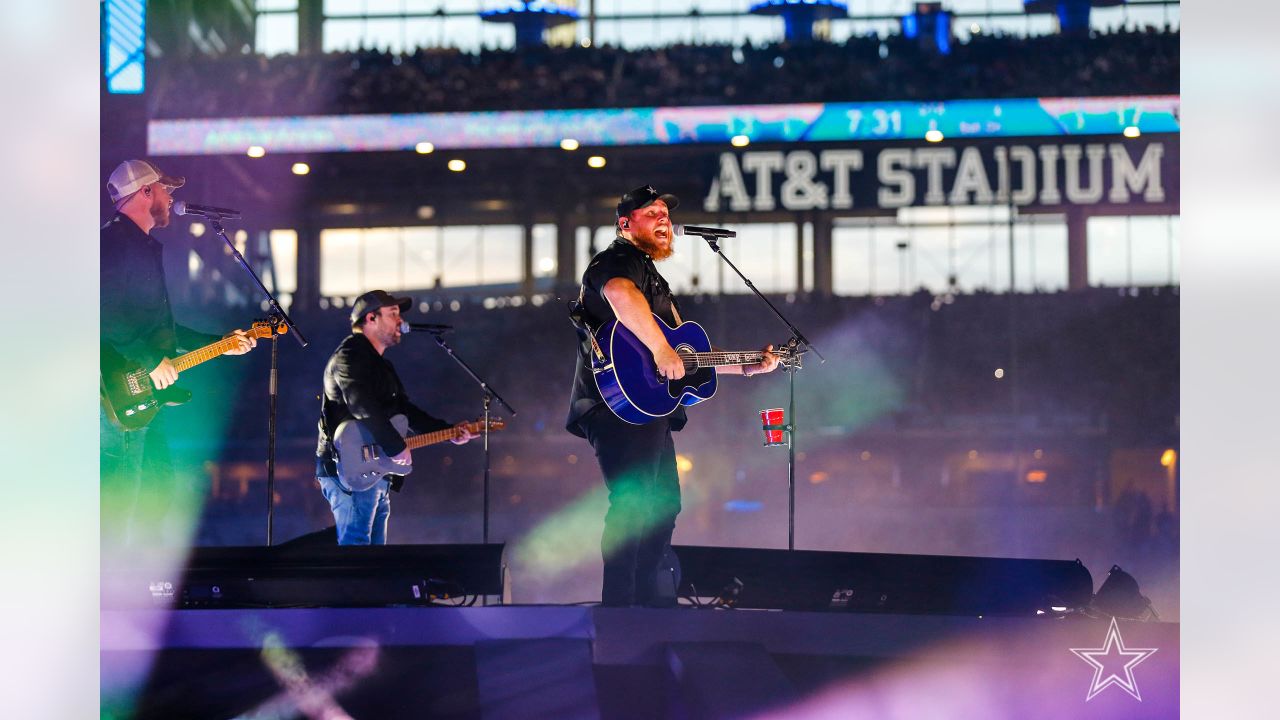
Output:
(866, 582)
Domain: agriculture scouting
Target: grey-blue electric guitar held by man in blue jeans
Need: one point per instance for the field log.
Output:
(362, 462)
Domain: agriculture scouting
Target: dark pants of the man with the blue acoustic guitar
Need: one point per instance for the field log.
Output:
(639, 467)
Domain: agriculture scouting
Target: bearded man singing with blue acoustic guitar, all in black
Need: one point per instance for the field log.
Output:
(638, 462)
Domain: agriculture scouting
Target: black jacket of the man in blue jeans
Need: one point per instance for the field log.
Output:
(362, 384)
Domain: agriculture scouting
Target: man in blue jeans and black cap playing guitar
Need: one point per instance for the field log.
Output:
(360, 384)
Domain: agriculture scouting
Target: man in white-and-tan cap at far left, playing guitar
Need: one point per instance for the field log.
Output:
(138, 329)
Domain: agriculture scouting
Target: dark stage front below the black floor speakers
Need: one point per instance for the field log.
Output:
(583, 662)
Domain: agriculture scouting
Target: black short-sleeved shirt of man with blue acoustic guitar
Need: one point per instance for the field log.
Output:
(619, 261)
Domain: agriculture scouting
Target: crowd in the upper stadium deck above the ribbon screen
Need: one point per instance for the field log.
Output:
(862, 69)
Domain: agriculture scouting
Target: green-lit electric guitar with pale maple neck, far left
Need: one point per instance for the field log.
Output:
(130, 398)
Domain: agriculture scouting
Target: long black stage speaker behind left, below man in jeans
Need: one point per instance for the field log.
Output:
(317, 576)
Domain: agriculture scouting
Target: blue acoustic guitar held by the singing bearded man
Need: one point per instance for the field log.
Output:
(629, 379)
